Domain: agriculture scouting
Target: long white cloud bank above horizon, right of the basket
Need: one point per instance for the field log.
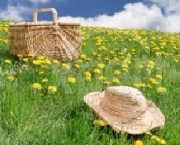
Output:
(137, 15)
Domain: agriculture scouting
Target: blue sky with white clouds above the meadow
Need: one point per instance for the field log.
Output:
(161, 15)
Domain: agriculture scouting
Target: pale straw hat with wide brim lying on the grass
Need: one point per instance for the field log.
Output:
(125, 109)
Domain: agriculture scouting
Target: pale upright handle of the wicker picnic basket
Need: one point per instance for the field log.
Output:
(54, 13)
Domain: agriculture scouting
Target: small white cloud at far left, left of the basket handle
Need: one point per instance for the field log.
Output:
(16, 13)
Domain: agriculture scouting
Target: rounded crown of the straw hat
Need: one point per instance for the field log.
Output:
(124, 99)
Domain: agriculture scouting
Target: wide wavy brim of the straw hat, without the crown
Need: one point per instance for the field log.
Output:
(152, 118)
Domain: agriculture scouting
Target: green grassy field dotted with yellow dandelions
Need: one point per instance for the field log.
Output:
(41, 100)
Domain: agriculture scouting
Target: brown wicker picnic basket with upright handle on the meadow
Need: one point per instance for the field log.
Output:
(54, 40)
